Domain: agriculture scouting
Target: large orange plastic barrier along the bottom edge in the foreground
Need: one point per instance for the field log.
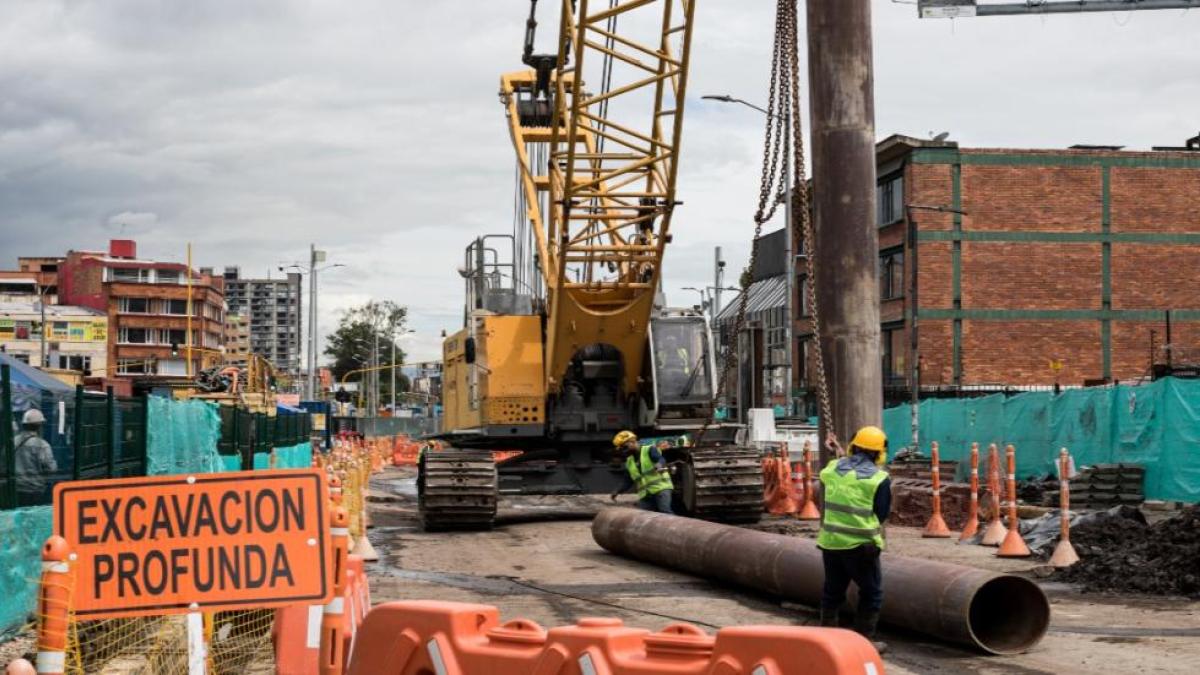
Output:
(411, 638)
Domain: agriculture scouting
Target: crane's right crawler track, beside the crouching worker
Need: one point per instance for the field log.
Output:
(723, 485)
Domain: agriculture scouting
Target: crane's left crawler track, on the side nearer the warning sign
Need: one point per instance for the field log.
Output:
(458, 491)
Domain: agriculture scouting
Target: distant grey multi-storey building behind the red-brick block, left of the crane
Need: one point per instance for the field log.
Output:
(273, 309)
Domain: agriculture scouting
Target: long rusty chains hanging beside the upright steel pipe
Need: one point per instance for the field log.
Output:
(783, 103)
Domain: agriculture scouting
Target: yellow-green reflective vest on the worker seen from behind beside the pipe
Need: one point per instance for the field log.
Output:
(849, 521)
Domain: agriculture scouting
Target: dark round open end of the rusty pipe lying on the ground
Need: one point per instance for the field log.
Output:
(1009, 616)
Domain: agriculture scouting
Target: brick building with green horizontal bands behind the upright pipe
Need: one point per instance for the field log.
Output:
(1063, 268)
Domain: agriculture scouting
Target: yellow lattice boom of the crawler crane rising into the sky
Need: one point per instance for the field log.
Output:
(601, 208)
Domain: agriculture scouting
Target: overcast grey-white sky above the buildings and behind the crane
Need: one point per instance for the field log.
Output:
(371, 128)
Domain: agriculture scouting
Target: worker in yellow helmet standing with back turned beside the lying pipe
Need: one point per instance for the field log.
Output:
(857, 501)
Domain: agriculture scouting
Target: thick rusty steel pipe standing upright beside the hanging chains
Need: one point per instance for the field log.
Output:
(843, 110)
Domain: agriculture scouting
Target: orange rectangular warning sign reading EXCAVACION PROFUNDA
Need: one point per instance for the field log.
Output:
(169, 545)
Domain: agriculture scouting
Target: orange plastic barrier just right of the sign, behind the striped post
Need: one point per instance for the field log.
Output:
(297, 632)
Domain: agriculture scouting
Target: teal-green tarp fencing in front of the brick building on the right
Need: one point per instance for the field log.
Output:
(1156, 426)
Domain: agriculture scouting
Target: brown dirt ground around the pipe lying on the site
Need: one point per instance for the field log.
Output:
(554, 574)
